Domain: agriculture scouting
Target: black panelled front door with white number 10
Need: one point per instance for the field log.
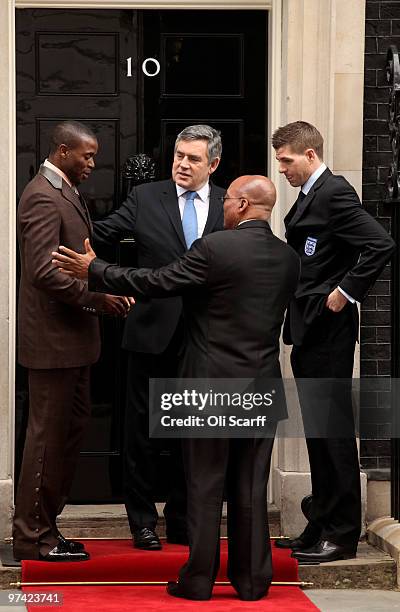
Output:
(136, 78)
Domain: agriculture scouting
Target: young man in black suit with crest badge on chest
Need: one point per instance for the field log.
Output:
(343, 250)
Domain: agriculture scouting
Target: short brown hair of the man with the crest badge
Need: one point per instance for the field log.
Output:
(300, 136)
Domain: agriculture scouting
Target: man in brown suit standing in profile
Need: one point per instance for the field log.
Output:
(58, 340)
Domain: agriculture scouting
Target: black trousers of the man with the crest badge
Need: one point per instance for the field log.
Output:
(328, 352)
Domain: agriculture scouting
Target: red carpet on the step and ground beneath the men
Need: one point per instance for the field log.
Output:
(116, 560)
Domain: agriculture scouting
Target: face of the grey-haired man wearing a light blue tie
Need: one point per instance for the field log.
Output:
(191, 167)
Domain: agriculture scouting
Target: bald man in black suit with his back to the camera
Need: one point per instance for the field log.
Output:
(236, 286)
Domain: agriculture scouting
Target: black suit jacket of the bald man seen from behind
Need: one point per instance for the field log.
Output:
(236, 285)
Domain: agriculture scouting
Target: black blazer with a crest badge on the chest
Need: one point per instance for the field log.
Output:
(339, 243)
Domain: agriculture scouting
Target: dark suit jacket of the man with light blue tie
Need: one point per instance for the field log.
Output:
(150, 214)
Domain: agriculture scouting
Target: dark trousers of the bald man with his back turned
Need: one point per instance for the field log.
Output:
(244, 464)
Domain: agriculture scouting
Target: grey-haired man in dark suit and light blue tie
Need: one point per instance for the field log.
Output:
(163, 225)
